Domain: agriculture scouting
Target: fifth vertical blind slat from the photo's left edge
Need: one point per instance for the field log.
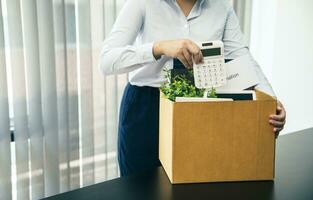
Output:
(61, 71)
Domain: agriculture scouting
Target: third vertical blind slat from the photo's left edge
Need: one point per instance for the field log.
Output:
(31, 49)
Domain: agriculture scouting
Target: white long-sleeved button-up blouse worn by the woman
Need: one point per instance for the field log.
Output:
(140, 23)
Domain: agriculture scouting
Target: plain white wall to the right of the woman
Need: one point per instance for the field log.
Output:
(282, 42)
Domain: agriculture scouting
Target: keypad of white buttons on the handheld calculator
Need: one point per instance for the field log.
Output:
(210, 74)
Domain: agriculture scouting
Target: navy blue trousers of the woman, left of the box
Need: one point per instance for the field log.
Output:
(138, 131)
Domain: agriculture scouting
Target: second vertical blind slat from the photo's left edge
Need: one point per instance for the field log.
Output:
(19, 98)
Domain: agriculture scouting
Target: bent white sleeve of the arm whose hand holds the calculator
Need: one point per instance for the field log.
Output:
(119, 54)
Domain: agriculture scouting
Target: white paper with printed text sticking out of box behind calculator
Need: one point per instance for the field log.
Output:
(240, 74)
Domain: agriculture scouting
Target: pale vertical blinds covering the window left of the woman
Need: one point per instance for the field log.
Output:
(62, 110)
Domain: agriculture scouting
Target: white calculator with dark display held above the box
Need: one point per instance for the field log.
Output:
(211, 73)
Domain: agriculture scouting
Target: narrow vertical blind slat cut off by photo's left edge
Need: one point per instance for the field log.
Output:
(5, 150)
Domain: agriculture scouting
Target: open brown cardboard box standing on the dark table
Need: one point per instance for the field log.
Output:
(217, 141)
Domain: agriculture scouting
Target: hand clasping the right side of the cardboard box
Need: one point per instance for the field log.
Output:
(278, 121)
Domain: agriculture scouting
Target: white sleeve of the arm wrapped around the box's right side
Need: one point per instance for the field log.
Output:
(235, 47)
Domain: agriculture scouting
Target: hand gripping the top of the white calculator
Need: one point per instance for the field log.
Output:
(185, 50)
